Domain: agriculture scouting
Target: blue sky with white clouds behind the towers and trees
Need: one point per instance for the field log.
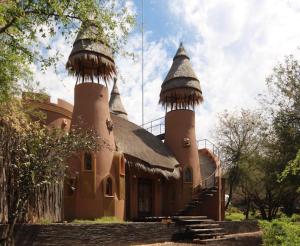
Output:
(232, 44)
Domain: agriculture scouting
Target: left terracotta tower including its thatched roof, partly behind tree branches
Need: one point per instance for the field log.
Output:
(93, 174)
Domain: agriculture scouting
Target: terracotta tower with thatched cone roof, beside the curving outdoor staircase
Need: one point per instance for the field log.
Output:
(180, 93)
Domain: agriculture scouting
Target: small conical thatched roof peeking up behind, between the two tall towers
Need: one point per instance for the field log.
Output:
(115, 102)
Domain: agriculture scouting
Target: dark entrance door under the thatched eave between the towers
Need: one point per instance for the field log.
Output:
(145, 193)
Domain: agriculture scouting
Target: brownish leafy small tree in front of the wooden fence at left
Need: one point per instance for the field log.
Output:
(34, 156)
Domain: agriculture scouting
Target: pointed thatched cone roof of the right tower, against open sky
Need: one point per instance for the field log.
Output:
(181, 86)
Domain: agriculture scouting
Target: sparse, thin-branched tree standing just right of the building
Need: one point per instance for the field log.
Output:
(238, 136)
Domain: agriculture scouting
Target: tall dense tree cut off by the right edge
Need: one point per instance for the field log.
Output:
(284, 105)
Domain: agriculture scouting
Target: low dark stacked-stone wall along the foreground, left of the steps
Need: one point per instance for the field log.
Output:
(94, 234)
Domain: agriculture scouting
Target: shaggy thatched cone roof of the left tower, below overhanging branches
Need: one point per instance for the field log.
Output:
(91, 59)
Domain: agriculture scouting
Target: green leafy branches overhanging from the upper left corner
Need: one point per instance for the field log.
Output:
(24, 22)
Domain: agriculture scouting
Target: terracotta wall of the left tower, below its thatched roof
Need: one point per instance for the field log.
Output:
(89, 200)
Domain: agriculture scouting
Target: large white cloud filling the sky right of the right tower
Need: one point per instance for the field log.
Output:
(237, 44)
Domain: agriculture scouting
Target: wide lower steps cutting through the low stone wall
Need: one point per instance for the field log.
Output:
(198, 229)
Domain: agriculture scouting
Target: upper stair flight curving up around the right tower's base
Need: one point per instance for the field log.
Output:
(197, 200)
